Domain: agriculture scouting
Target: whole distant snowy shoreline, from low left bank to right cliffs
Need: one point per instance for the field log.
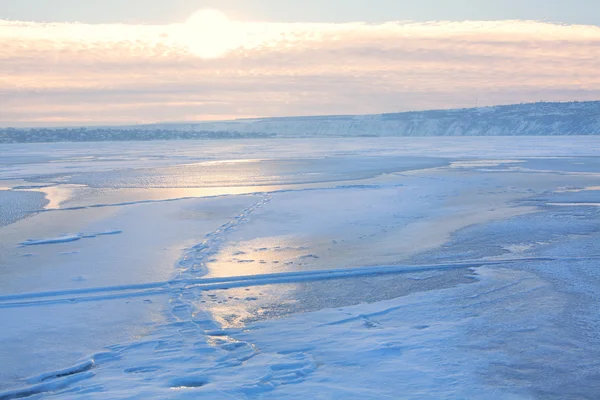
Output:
(577, 118)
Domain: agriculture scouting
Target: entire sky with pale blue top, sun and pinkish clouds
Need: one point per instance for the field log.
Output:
(79, 62)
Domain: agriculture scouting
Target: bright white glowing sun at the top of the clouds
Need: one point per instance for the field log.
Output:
(210, 34)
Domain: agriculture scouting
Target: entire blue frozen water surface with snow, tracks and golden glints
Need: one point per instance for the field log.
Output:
(363, 268)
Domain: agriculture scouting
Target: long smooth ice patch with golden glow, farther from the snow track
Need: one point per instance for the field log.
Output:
(244, 173)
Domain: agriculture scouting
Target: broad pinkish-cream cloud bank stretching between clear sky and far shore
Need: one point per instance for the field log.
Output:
(75, 73)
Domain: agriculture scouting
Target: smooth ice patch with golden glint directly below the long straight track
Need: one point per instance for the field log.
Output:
(235, 308)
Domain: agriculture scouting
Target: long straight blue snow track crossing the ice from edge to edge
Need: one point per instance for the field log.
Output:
(208, 284)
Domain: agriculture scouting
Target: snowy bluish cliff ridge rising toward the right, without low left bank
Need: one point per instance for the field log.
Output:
(522, 119)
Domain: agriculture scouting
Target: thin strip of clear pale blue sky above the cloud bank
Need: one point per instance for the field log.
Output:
(585, 12)
